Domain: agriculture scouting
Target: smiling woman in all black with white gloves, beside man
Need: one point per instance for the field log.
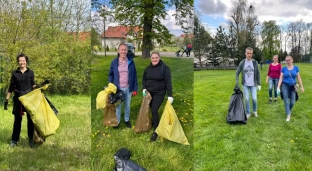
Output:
(157, 81)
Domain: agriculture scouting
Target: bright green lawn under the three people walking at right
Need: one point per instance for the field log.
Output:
(264, 143)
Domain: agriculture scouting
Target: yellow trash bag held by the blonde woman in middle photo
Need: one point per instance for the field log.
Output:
(169, 126)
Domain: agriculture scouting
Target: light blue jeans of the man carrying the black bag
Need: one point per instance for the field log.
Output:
(253, 90)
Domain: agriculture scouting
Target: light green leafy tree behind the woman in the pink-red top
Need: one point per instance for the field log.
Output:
(270, 39)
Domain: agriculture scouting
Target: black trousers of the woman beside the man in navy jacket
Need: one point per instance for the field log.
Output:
(157, 99)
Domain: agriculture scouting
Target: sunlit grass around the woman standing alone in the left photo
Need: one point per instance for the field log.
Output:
(68, 149)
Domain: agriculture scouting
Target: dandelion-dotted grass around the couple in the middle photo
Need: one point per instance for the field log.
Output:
(153, 156)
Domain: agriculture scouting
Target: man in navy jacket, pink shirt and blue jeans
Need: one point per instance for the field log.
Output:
(123, 75)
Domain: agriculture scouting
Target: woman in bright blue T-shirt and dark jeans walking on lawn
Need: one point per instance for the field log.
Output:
(286, 85)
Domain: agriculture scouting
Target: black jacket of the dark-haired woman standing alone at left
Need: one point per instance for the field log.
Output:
(20, 84)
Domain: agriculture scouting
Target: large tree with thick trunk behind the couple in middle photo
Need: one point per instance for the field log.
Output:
(147, 14)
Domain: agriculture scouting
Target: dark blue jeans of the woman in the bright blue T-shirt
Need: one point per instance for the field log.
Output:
(289, 96)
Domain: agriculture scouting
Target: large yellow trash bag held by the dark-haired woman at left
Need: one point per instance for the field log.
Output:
(40, 112)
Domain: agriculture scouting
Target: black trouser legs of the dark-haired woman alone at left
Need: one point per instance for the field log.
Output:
(18, 126)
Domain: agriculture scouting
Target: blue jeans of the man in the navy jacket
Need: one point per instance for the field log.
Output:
(126, 102)
